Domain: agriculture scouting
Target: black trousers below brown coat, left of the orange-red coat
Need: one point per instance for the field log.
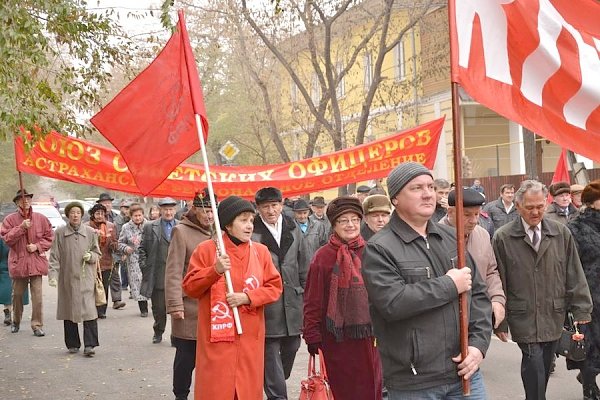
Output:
(183, 366)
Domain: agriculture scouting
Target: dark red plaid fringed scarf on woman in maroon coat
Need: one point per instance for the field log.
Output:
(348, 306)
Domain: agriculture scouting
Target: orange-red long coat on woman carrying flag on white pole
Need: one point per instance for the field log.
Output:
(227, 368)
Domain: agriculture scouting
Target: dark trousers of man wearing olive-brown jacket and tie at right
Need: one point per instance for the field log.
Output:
(535, 368)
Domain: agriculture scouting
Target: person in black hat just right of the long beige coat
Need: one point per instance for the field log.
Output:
(107, 241)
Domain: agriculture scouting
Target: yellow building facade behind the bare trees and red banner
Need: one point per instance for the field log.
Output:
(415, 88)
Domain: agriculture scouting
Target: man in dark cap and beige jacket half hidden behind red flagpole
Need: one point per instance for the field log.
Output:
(479, 246)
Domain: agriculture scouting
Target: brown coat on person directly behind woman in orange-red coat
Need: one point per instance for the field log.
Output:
(185, 237)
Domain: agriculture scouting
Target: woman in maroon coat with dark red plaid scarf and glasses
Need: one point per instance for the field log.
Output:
(336, 308)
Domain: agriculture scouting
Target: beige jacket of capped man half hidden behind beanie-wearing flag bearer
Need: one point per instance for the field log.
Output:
(480, 248)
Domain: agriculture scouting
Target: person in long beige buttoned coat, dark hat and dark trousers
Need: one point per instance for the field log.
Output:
(73, 263)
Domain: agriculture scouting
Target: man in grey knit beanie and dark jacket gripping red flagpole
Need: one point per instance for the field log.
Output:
(413, 291)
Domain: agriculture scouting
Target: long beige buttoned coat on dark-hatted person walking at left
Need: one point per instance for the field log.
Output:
(76, 300)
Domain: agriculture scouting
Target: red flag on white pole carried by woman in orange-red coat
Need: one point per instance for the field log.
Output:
(151, 121)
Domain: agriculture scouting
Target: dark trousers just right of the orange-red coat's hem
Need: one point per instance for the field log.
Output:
(280, 354)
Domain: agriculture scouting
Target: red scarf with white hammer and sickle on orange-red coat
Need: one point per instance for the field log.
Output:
(243, 257)
